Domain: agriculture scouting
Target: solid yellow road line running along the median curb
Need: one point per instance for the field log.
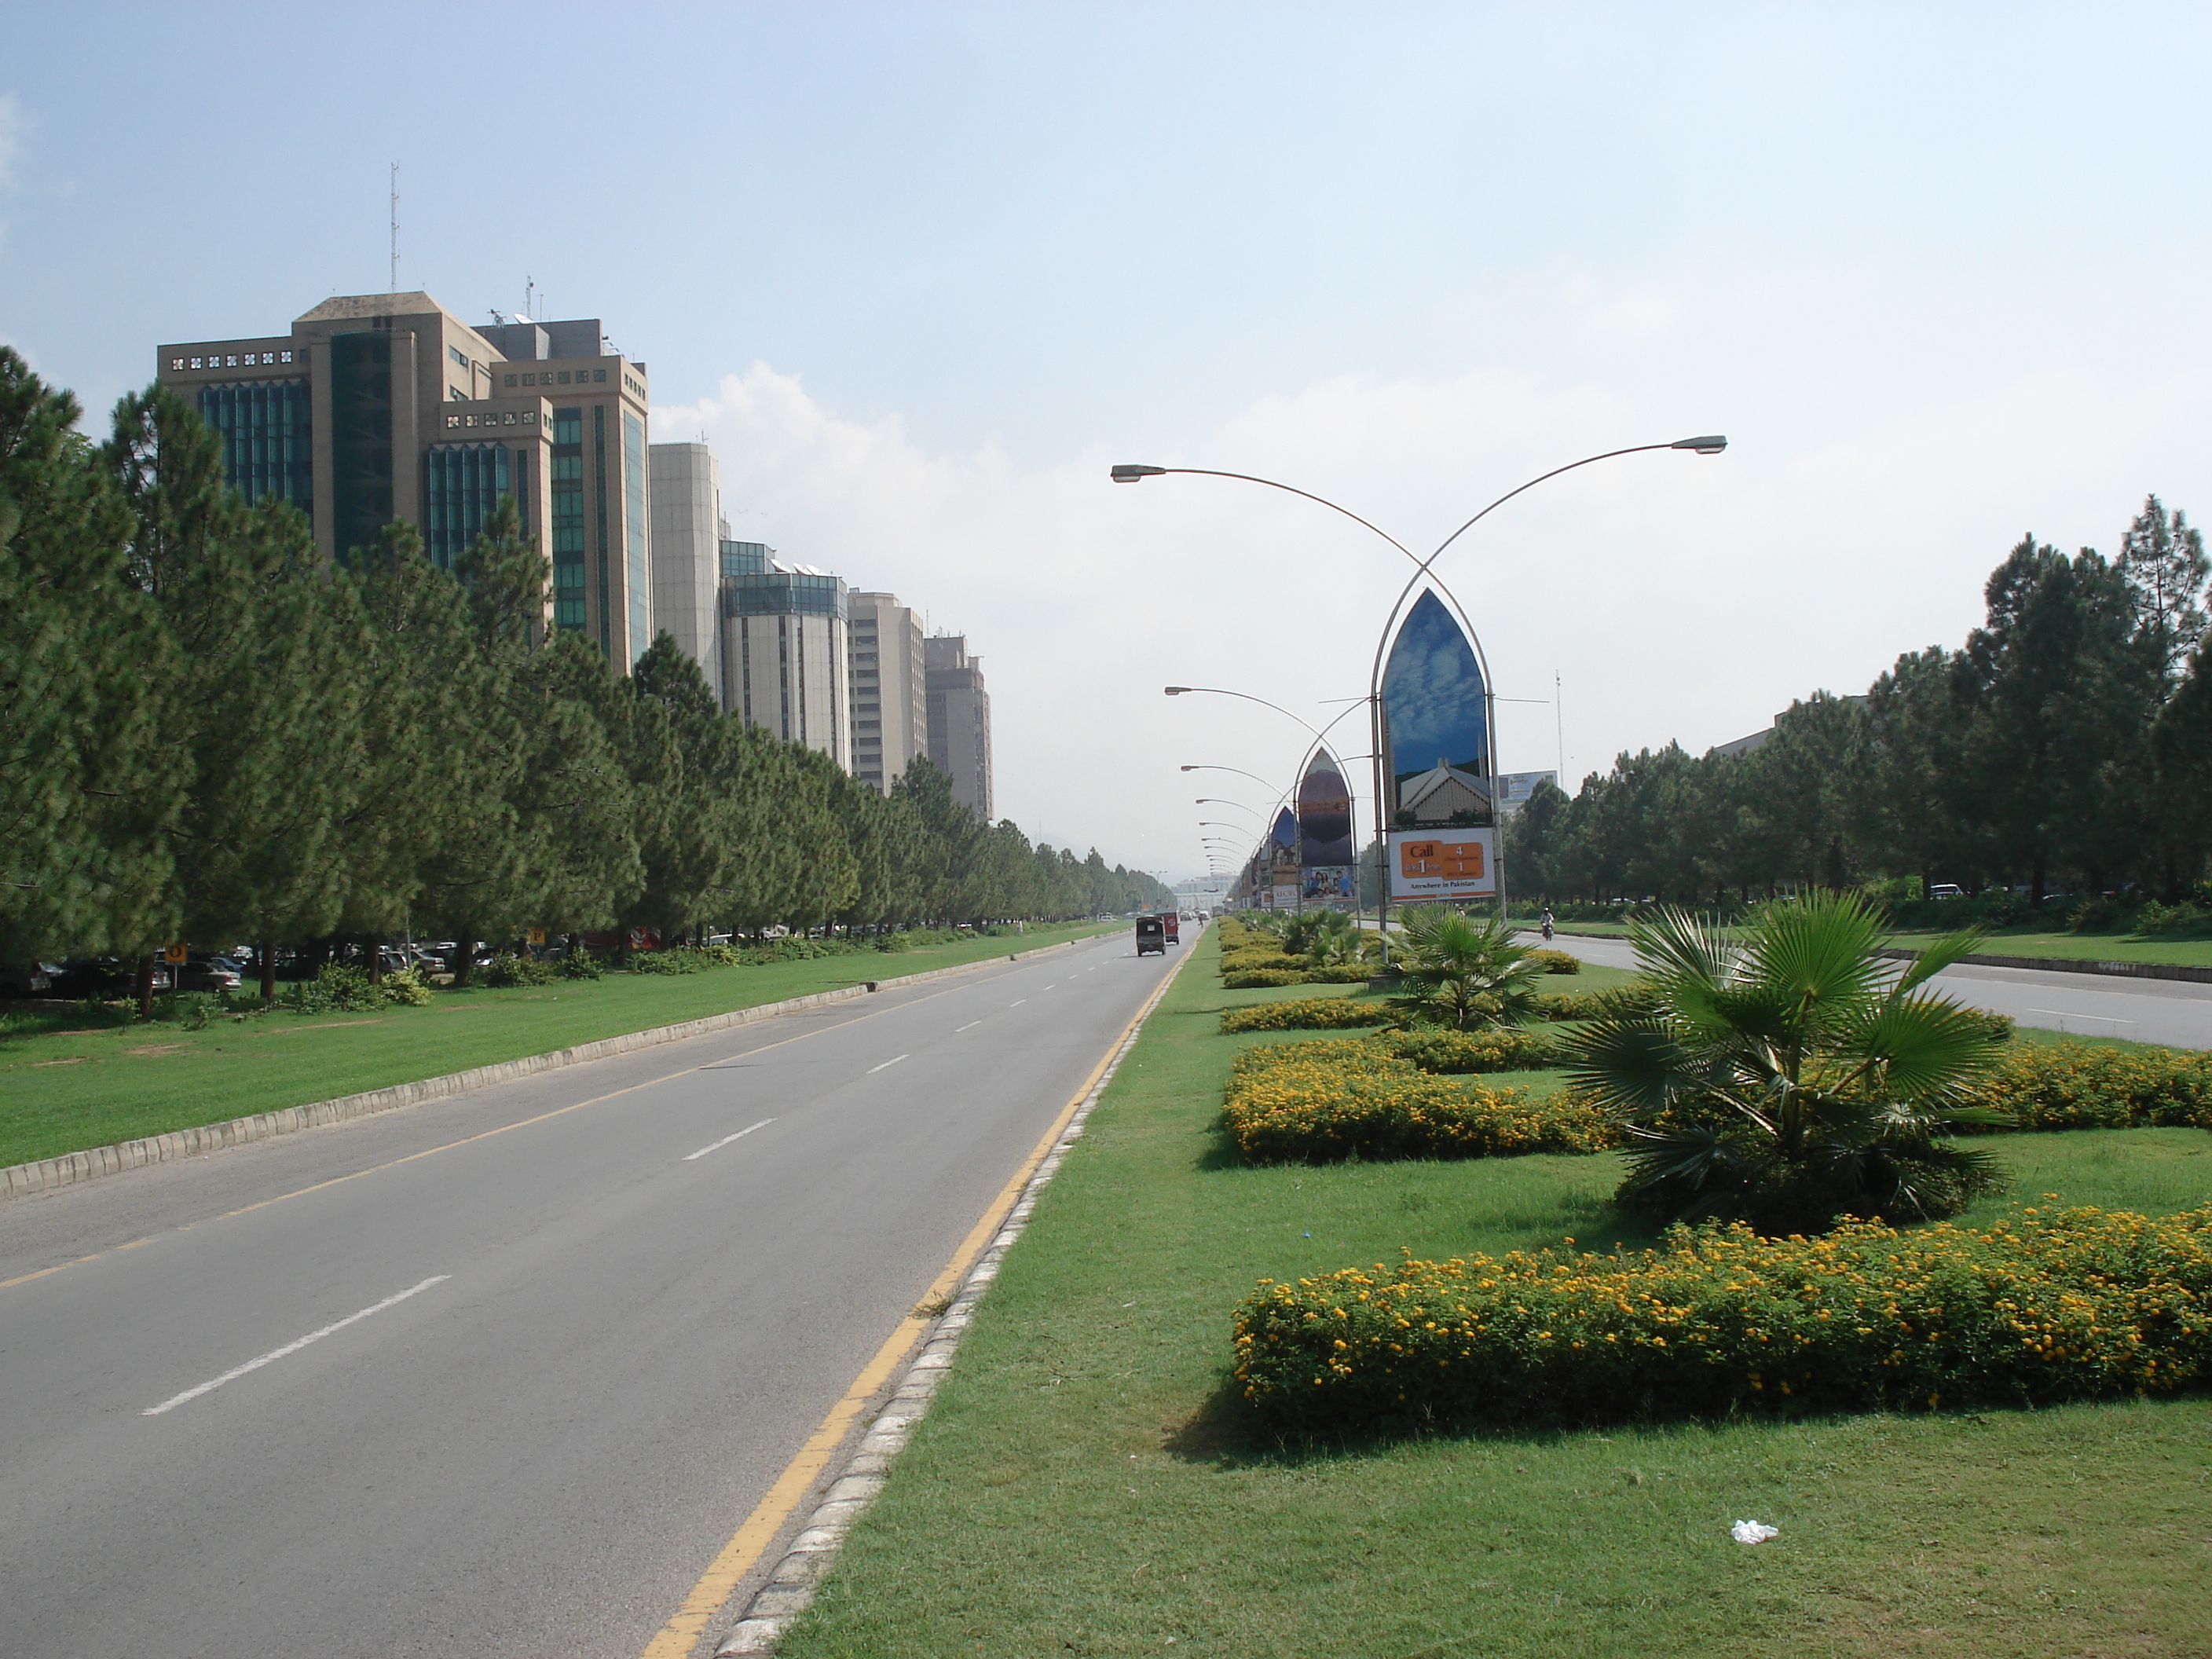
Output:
(760, 1530)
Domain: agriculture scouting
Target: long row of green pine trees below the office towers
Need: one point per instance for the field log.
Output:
(211, 735)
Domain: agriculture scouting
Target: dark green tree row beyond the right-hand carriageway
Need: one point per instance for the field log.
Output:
(2063, 749)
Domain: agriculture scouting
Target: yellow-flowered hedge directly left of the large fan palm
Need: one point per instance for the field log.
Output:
(1322, 1103)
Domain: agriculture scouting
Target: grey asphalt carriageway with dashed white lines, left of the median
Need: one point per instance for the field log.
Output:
(501, 1375)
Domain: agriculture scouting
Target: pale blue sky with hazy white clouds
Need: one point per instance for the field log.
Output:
(924, 273)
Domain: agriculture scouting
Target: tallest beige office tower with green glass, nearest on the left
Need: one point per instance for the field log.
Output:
(384, 408)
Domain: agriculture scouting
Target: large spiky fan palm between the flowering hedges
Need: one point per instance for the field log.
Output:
(1793, 1074)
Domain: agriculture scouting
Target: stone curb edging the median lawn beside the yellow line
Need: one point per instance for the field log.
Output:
(791, 1589)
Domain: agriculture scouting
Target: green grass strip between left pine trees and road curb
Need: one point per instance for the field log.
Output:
(63, 1092)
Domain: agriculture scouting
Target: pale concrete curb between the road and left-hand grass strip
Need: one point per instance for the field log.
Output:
(70, 1169)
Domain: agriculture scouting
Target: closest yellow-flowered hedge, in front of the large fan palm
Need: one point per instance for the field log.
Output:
(2041, 1308)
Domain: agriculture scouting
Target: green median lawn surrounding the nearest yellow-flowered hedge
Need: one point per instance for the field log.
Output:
(1087, 1483)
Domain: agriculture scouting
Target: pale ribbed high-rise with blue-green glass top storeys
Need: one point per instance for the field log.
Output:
(784, 656)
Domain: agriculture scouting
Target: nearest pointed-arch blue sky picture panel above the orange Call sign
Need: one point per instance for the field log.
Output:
(1437, 729)
